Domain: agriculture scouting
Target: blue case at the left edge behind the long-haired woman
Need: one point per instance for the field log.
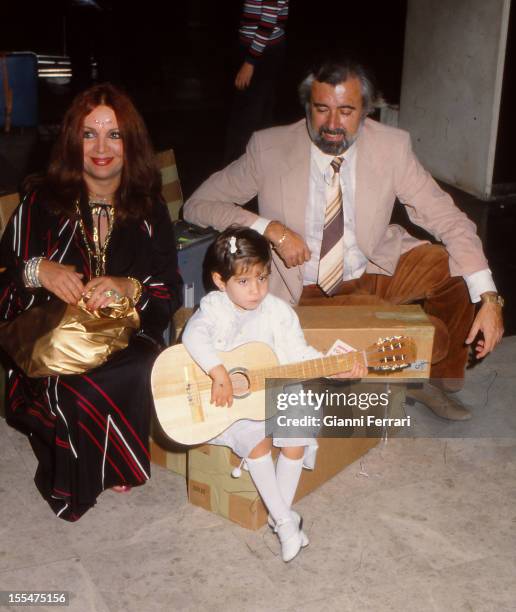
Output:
(22, 74)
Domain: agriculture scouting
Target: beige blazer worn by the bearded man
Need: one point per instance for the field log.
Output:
(276, 167)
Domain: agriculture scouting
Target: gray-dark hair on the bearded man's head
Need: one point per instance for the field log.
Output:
(333, 73)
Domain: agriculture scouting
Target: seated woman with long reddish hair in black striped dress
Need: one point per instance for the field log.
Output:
(95, 224)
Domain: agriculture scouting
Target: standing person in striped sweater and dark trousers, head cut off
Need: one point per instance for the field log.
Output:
(261, 55)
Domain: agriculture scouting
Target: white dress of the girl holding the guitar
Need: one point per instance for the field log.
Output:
(219, 325)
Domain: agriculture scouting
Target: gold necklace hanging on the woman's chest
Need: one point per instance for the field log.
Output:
(102, 209)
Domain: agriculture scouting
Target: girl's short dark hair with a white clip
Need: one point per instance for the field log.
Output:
(251, 248)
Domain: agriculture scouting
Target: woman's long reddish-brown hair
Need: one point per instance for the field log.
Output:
(141, 179)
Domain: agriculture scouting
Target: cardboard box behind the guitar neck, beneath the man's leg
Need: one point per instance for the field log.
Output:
(361, 326)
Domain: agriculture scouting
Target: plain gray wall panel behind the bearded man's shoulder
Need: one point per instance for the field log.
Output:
(450, 97)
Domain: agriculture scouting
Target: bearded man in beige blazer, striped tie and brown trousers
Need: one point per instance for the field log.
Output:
(293, 169)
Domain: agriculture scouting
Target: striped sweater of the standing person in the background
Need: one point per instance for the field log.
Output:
(262, 24)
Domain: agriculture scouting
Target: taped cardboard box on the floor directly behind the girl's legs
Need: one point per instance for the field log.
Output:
(211, 486)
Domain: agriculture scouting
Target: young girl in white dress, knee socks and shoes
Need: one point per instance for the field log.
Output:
(242, 311)
